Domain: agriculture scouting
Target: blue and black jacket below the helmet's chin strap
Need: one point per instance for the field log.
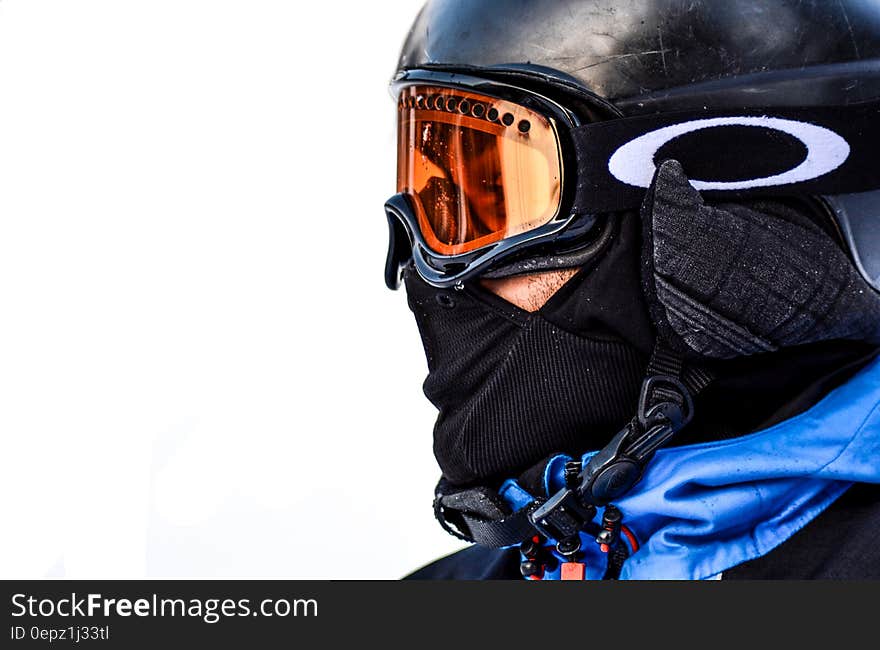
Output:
(701, 510)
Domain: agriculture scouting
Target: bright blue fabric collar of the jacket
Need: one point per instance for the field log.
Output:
(701, 509)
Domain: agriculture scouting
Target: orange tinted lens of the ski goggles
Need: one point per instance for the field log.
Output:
(478, 169)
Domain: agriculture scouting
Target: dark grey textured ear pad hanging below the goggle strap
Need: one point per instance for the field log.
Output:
(733, 280)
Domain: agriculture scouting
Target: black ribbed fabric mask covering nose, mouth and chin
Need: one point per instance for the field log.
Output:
(513, 386)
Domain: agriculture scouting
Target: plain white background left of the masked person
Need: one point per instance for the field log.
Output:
(201, 372)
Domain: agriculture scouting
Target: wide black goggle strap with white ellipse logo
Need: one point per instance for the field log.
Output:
(847, 135)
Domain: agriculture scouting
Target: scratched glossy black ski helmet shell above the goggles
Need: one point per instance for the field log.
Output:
(655, 56)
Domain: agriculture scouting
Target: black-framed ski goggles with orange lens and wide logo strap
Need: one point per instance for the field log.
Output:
(487, 170)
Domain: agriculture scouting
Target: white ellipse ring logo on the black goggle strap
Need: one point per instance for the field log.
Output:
(633, 163)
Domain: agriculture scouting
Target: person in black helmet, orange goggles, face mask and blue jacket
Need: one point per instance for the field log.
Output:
(640, 242)
